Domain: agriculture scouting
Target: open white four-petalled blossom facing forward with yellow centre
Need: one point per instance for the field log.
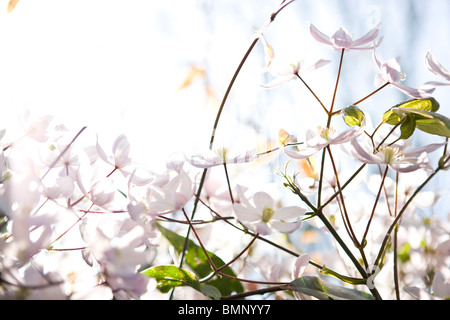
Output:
(262, 215)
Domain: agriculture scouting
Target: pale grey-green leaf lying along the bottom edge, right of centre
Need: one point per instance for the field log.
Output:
(313, 286)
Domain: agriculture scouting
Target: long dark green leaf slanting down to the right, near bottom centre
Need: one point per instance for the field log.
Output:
(196, 259)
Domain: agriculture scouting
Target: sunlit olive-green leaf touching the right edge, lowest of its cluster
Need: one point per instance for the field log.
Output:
(427, 121)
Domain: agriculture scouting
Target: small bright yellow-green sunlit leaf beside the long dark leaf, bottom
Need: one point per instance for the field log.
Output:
(168, 277)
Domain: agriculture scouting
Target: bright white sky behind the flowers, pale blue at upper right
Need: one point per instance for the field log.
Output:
(116, 65)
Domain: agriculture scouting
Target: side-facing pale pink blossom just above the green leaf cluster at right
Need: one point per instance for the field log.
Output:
(390, 72)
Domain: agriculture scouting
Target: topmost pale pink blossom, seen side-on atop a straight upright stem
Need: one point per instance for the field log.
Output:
(343, 40)
